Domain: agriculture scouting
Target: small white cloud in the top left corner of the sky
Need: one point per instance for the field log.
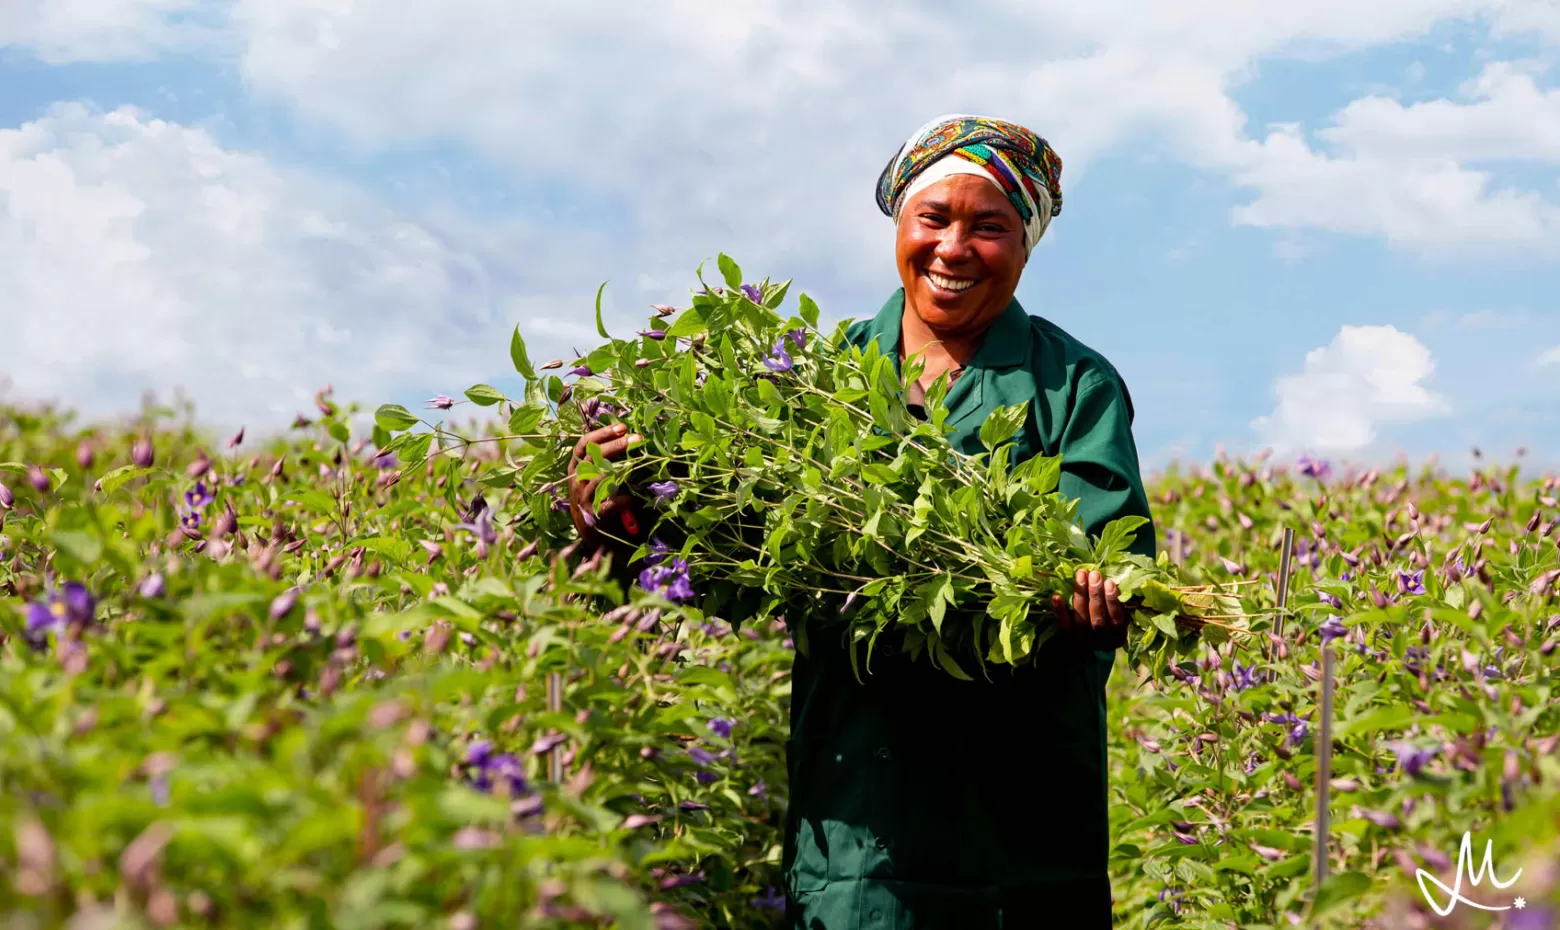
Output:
(102, 30)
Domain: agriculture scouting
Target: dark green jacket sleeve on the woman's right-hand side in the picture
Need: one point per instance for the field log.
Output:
(1101, 460)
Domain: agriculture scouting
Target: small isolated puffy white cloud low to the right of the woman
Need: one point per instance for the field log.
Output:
(1366, 378)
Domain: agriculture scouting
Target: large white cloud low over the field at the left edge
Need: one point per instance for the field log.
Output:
(141, 255)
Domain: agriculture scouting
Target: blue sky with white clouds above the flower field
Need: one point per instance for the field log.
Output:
(1324, 227)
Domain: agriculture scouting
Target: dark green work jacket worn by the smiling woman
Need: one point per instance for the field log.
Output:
(923, 801)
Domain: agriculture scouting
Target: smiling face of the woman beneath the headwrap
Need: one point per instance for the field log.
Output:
(960, 252)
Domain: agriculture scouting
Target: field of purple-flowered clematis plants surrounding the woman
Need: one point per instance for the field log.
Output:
(356, 673)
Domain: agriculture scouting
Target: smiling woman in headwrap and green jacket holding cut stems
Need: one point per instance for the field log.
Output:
(920, 800)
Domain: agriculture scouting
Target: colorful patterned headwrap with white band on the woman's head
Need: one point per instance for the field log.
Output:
(1018, 162)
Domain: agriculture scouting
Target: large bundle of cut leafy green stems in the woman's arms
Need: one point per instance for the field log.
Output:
(806, 486)
